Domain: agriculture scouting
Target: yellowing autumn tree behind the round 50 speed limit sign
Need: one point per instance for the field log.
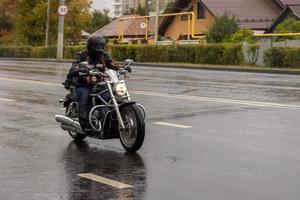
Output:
(30, 23)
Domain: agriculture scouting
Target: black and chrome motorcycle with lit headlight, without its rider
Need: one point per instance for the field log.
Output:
(113, 115)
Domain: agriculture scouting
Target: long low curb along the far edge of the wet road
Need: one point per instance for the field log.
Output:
(228, 68)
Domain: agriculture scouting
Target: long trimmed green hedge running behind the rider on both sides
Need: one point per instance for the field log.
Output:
(209, 54)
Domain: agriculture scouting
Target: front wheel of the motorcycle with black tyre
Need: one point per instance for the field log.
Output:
(132, 136)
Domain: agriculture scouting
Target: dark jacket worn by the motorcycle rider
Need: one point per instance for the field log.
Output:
(104, 60)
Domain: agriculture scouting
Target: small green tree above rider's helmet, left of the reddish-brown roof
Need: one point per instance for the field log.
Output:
(99, 19)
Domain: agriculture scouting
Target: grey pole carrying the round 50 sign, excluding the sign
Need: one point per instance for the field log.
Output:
(60, 36)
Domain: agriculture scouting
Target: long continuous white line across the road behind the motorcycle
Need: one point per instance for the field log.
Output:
(175, 96)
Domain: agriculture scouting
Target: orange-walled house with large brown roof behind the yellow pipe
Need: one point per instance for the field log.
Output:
(257, 15)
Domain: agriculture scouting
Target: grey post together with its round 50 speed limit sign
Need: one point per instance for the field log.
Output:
(62, 11)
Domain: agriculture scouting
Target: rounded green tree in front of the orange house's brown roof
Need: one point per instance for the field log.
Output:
(222, 29)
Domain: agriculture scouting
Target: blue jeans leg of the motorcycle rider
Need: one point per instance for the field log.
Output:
(84, 98)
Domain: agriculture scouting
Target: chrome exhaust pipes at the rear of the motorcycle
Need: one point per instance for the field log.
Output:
(69, 124)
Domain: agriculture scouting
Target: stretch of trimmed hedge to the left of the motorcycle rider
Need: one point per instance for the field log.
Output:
(38, 52)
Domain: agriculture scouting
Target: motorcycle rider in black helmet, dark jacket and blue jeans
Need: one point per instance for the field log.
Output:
(95, 54)
